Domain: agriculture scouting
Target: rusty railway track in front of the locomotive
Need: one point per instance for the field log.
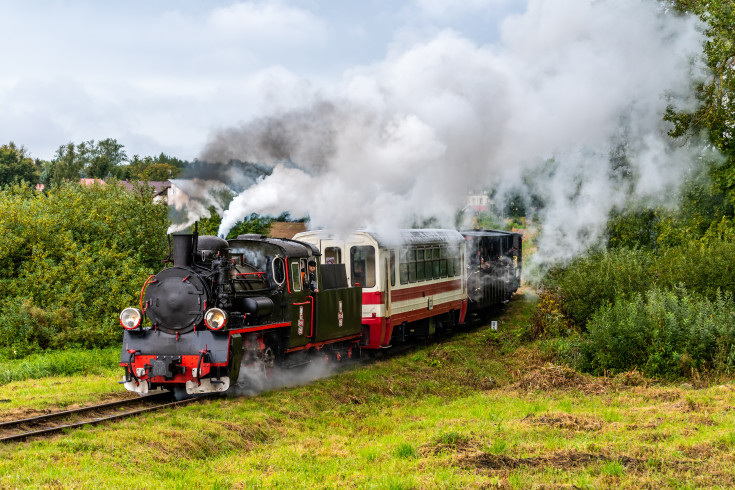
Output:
(47, 424)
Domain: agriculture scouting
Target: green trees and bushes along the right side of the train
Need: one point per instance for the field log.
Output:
(658, 297)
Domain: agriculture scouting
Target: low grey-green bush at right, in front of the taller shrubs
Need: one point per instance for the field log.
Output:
(662, 333)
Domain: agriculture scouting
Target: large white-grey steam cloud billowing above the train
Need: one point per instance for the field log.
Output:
(570, 84)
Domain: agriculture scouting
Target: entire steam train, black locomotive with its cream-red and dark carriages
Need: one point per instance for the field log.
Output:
(251, 301)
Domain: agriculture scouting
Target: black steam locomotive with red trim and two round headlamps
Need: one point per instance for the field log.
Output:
(227, 303)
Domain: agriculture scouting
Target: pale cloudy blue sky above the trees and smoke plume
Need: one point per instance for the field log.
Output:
(163, 76)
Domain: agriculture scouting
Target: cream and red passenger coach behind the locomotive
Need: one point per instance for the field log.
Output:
(412, 283)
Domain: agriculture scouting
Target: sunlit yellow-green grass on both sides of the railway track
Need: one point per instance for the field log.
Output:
(483, 409)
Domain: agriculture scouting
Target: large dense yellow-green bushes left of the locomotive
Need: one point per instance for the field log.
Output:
(70, 260)
